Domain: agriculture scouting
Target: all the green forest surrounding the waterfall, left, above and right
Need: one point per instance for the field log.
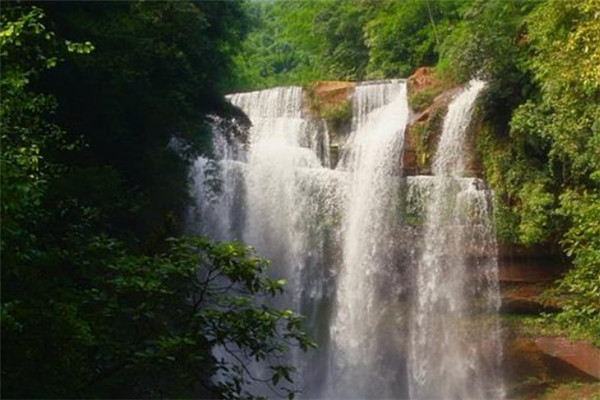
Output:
(102, 294)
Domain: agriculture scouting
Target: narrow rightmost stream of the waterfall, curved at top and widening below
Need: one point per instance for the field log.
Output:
(454, 324)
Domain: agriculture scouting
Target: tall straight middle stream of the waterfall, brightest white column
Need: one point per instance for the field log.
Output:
(372, 158)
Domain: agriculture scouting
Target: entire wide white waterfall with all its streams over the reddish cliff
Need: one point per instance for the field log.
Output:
(366, 252)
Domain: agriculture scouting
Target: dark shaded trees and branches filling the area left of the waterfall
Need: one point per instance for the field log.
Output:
(95, 302)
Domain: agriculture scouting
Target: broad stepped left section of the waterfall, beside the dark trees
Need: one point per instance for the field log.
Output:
(279, 196)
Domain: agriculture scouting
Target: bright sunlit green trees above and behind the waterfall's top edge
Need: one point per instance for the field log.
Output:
(302, 41)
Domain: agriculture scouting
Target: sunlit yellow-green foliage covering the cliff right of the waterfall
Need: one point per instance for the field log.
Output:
(544, 169)
